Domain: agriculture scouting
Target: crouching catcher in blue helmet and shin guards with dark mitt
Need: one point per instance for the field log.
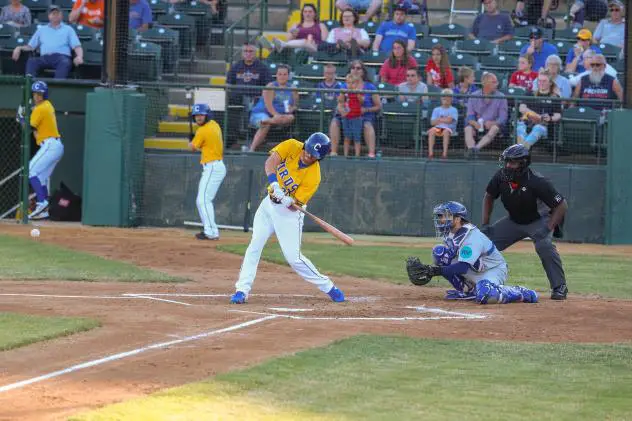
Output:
(468, 260)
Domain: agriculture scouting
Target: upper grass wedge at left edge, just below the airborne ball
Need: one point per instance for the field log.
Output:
(30, 259)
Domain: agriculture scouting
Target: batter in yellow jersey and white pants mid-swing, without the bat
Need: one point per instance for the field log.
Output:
(293, 172)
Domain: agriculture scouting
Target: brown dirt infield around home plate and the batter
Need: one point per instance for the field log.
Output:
(196, 334)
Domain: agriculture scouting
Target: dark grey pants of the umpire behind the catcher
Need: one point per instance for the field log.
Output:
(506, 232)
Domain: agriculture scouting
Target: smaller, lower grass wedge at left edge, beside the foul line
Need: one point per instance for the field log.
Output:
(21, 329)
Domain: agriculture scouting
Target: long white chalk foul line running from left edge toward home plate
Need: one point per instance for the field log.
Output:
(133, 352)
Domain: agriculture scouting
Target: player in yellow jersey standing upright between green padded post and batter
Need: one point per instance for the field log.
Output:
(208, 140)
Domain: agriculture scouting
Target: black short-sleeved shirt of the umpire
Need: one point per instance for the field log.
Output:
(521, 199)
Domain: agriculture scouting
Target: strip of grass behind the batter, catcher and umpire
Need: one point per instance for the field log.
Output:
(604, 275)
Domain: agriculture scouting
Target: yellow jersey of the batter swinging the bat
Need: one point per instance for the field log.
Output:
(298, 182)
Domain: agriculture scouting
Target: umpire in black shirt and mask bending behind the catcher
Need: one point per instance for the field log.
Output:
(524, 193)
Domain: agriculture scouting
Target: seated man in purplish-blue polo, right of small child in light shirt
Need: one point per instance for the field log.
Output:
(485, 114)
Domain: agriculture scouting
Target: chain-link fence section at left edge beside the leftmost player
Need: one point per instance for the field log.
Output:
(12, 146)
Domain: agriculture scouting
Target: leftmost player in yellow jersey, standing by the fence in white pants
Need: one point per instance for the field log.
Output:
(41, 166)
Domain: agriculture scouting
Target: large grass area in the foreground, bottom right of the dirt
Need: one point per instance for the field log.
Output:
(398, 378)
